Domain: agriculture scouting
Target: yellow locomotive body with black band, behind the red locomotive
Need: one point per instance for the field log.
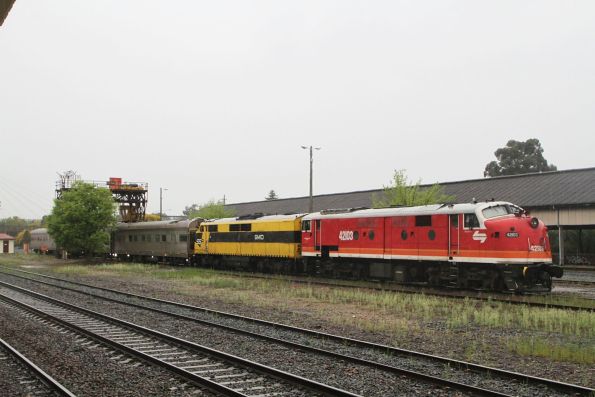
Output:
(273, 236)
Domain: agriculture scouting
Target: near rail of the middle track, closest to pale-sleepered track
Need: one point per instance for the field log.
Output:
(356, 360)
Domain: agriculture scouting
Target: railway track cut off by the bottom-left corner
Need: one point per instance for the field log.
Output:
(32, 379)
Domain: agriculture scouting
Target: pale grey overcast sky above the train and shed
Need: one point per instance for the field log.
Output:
(214, 98)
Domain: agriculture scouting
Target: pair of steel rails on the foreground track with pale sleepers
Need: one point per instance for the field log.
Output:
(295, 380)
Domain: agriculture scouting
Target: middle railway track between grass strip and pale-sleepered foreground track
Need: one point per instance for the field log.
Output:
(360, 352)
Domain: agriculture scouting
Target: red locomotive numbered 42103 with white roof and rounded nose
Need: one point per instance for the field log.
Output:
(492, 245)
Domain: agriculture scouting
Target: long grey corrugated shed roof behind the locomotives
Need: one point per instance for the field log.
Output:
(569, 188)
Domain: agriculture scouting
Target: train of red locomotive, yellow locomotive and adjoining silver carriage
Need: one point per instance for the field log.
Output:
(489, 246)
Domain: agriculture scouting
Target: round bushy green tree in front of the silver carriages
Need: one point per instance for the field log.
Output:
(82, 219)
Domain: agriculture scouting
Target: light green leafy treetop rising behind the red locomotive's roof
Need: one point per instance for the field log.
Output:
(402, 192)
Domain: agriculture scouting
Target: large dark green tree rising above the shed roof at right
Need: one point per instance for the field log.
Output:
(518, 158)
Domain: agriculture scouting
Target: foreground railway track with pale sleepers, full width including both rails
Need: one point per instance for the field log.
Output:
(219, 372)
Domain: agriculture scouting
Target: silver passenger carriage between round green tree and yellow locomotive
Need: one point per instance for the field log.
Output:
(157, 241)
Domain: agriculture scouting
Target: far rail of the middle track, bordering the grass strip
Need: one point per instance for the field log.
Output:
(322, 335)
